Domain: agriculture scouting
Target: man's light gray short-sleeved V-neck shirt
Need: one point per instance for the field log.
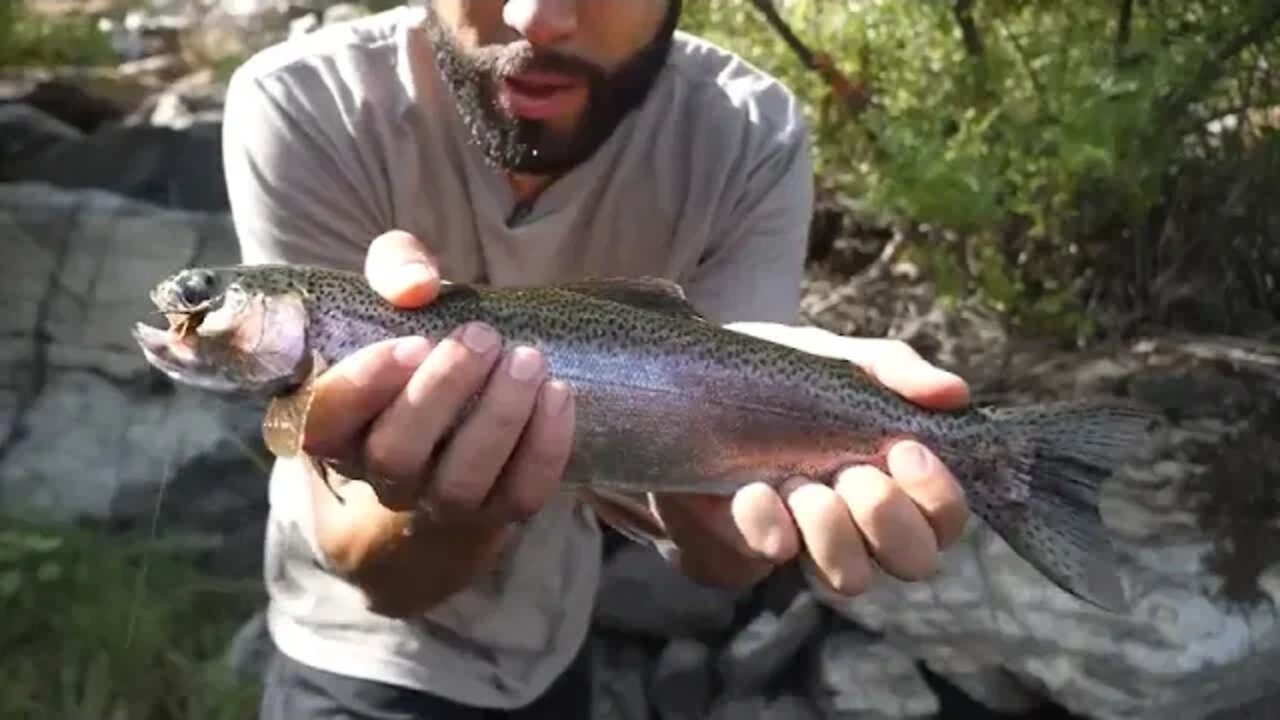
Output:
(339, 136)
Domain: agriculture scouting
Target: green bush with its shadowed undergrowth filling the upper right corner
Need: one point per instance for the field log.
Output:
(1078, 167)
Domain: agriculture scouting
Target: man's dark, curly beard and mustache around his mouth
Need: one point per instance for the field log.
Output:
(531, 147)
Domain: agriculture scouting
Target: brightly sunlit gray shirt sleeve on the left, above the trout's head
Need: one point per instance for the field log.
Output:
(300, 192)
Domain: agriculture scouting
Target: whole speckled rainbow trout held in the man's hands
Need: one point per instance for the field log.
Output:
(668, 402)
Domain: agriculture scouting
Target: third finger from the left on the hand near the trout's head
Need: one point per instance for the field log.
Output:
(484, 441)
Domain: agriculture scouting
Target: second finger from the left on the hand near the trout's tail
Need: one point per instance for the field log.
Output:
(831, 539)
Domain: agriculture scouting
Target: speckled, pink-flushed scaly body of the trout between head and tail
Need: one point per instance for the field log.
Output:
(703, 409)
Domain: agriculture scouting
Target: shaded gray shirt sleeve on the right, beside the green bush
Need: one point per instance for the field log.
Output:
(755, 265)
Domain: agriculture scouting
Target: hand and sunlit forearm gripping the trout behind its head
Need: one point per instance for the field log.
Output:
(390, 416)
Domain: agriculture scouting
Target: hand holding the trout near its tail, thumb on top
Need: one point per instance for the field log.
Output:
(899, 521)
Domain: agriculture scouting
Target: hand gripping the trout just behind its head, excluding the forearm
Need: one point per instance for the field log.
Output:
(388, 409)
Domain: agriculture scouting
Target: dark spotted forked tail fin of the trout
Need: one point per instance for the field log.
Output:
(1060, 455)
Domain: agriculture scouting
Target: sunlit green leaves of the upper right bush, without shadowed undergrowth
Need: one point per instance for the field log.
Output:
(1021, 143)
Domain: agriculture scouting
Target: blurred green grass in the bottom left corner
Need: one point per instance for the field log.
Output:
(112, 630)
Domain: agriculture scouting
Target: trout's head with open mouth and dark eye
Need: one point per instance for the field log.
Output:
(231, 331)
